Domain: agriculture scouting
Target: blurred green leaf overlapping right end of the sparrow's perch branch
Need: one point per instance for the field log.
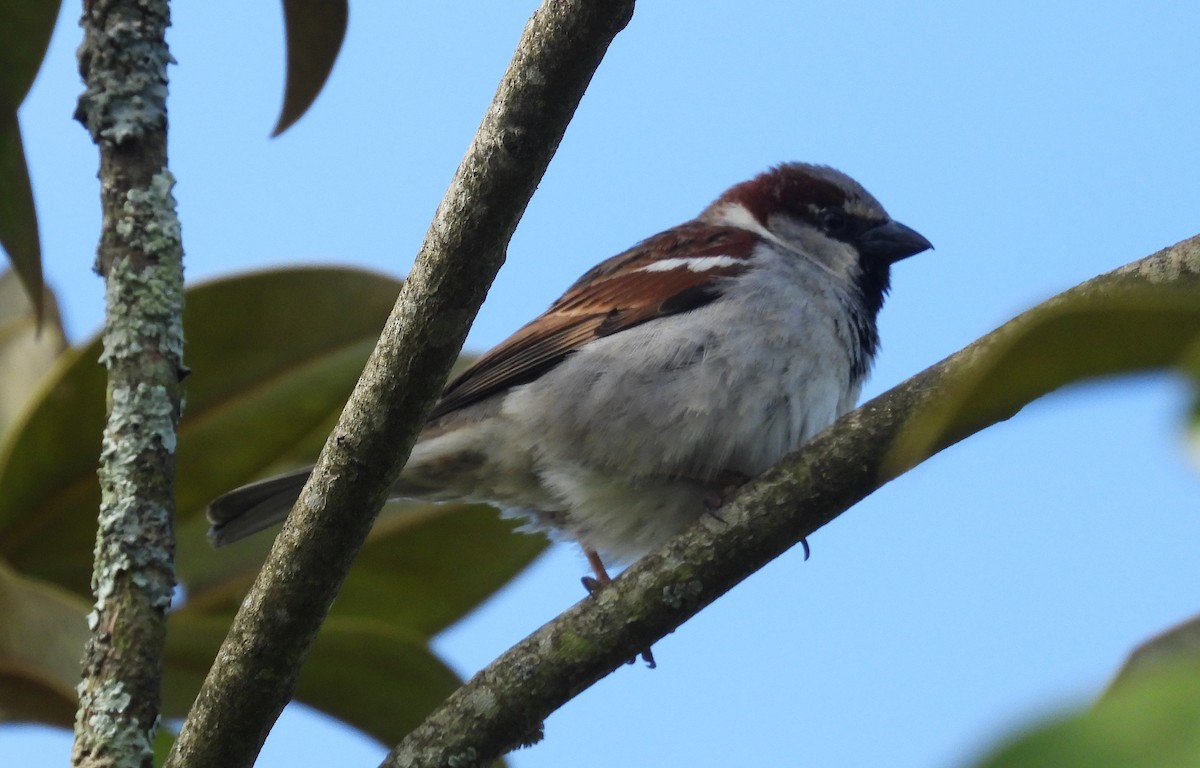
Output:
(1067, 341)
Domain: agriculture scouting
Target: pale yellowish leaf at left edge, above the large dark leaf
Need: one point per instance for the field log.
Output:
(27, 353)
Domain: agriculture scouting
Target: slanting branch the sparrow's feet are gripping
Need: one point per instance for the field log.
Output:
(505, 705)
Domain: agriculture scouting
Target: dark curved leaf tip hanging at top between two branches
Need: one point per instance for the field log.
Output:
(315, 33)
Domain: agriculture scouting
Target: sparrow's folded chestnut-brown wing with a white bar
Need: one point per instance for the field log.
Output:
(617, 295)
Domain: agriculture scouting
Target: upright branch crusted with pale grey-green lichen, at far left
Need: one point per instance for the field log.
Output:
(124, 63)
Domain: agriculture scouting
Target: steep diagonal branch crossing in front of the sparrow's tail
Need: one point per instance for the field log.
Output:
(256, 670)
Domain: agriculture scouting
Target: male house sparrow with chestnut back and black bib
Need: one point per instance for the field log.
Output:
(664, 376)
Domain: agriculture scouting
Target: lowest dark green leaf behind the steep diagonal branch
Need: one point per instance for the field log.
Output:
(376, 677)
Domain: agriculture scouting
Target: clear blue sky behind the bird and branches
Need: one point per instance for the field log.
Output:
(1036, 146)
